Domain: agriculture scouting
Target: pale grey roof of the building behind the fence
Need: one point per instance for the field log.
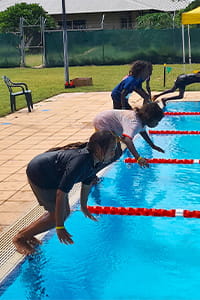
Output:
(54, 7)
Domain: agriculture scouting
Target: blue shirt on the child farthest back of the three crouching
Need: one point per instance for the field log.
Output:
(130, 83)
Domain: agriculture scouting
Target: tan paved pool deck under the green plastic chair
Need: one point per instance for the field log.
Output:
(56, 121)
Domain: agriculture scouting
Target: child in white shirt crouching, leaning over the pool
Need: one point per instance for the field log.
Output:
(125, 124)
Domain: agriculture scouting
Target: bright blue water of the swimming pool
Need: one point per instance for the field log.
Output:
(127, 257)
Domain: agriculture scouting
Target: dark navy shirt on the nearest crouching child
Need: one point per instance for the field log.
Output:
(63, 168)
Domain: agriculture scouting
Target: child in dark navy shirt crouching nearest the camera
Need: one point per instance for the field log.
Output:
(51, 176)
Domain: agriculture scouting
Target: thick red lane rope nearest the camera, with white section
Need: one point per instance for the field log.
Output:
(138, 211)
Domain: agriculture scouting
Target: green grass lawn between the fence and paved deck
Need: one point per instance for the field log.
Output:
(48, 82)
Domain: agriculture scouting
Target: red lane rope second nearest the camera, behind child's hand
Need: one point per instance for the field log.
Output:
(164, 161)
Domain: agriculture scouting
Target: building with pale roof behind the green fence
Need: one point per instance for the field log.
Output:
(101, 14)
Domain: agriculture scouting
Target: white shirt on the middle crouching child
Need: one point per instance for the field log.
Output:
(120, 122)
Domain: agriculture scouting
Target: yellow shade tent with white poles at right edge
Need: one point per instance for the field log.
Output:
(190, 17)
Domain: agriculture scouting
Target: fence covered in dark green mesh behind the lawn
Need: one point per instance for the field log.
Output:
(107, 47)
